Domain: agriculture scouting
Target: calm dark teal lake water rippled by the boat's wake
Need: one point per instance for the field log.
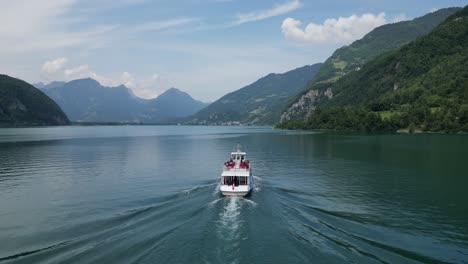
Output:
(149, 194)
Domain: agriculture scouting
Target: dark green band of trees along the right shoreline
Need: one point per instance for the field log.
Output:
(449, 118)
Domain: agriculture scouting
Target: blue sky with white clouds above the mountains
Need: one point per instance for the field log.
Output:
(205, 47)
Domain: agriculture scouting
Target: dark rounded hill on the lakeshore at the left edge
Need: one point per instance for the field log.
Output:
(22, 104)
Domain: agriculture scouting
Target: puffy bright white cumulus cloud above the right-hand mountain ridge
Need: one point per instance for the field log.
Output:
(341, 30)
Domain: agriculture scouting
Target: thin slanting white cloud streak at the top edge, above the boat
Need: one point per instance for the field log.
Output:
(263, 14)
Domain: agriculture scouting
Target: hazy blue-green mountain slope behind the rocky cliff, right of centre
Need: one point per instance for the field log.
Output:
(260, 102)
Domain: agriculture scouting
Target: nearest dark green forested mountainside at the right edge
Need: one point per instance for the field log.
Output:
(423, 85)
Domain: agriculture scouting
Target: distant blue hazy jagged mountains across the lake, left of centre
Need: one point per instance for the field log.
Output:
(87, 100)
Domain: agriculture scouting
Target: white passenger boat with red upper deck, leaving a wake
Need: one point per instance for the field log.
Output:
(236, 178)
